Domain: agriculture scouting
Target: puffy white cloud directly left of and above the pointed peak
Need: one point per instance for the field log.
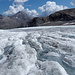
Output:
(14, 9)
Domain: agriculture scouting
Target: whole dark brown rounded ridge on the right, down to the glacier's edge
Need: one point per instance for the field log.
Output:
(58, 18)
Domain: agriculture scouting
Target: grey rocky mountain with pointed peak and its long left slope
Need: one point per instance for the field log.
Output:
(16, 21)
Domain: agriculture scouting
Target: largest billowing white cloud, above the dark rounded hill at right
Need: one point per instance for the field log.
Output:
(50, 7)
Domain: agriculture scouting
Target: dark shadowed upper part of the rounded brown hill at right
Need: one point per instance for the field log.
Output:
(63, 15)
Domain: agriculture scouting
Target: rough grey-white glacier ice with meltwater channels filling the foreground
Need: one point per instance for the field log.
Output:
(38, 51)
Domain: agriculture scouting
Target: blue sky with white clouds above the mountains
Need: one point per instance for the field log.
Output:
(34, 8)
